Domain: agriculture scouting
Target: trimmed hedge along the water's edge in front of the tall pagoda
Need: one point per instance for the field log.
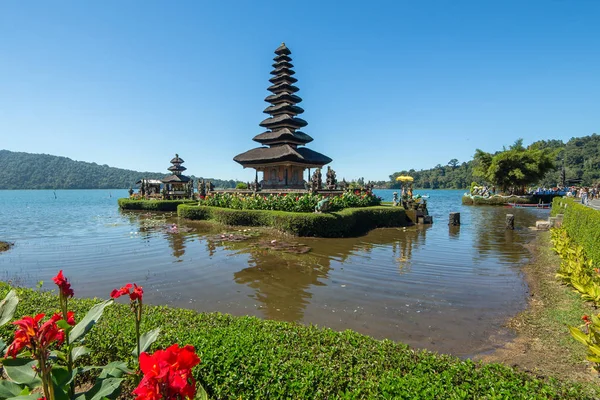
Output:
(348, 222)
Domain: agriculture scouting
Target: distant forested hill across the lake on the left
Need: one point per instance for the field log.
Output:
(43, 171)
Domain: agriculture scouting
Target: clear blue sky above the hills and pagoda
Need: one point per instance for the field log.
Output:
(386, 86)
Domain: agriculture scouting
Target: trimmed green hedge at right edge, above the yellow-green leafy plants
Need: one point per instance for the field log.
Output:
(581, 223)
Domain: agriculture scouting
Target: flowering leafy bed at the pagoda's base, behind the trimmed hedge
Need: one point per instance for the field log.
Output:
(293, 202)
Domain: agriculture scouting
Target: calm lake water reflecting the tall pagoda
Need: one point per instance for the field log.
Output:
(447, 289)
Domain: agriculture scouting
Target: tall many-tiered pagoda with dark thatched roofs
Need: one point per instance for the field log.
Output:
(283, 162)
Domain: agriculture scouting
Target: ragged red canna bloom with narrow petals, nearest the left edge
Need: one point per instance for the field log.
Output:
(31, 335)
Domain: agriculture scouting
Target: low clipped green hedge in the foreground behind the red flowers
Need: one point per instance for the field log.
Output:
(248, 358)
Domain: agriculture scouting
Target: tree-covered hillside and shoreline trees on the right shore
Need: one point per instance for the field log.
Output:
(545, 163)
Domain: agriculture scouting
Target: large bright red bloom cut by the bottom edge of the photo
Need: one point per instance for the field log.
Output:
(167, 374)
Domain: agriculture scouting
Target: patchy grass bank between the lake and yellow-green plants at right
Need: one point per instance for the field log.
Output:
(544, 345)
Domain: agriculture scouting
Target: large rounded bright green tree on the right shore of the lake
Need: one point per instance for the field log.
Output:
(514, 168)
